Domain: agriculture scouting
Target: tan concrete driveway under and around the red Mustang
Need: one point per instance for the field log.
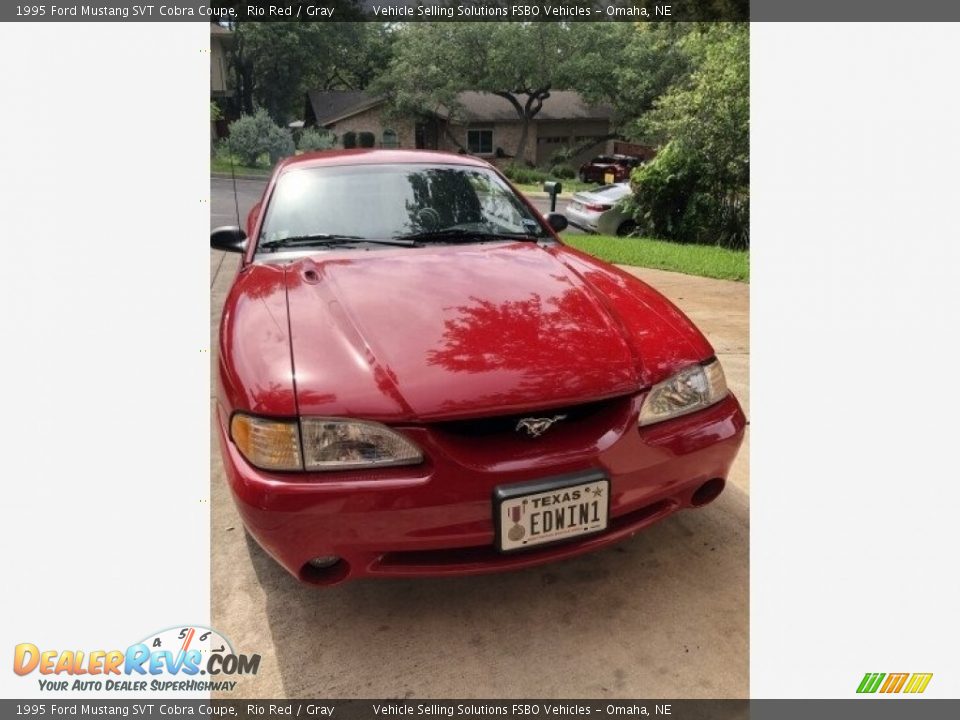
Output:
(662, 615)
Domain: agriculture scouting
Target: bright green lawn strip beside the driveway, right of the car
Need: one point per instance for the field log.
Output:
(703, 260)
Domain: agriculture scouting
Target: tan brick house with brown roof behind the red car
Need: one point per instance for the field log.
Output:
(487, 126)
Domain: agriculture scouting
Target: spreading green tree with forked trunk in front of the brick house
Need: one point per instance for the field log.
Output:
(519, 62)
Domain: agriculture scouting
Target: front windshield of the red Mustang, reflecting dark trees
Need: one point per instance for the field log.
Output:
(392, 201)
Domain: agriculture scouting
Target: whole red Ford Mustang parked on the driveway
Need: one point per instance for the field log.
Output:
(417, 377)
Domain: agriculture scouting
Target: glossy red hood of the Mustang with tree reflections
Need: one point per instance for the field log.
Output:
(459, 331)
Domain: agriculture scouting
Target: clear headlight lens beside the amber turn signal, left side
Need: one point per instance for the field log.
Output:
(332, 444)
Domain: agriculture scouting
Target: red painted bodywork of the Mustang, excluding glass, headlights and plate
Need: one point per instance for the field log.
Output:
(435, 342)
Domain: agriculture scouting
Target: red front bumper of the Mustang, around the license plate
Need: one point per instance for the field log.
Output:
(437, 518)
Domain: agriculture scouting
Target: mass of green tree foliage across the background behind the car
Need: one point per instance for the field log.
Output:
(682, 87)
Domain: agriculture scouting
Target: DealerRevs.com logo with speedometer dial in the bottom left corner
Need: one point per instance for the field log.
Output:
(180, 659)
